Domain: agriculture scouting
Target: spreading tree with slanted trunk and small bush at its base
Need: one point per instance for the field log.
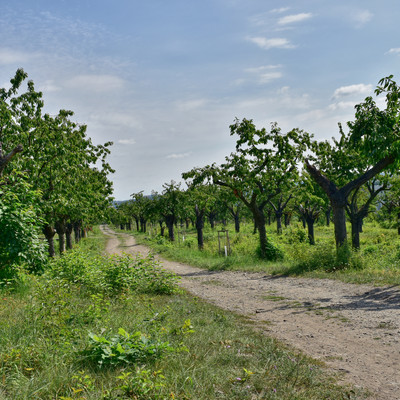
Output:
(257, 171)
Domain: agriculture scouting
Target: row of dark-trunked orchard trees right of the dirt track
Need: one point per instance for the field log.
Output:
(269, 171)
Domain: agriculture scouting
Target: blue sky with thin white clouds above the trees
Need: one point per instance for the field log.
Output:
(164, 79)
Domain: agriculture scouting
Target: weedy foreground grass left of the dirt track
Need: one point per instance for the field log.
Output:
(94, 327)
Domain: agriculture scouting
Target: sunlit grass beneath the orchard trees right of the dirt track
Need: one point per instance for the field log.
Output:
(378, 261)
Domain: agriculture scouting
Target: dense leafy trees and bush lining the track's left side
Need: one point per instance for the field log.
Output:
(53, 179)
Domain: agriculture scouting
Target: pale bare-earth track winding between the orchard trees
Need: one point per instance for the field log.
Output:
(353, 329)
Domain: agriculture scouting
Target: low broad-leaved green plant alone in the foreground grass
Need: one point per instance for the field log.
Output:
(125, 348)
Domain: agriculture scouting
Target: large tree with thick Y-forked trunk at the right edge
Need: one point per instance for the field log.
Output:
(371, 146)
